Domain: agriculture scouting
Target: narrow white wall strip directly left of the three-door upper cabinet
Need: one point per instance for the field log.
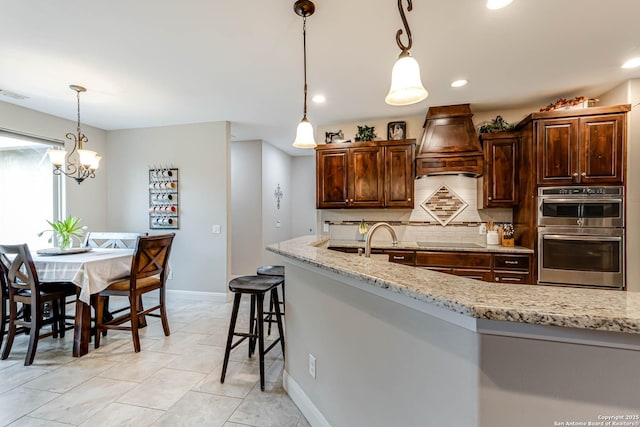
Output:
(303, 193)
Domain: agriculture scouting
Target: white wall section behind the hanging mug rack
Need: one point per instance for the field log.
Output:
(199, 259)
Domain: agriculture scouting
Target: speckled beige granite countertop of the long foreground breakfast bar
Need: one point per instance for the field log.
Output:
(597, 309)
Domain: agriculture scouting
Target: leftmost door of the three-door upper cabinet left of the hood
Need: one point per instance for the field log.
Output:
(332, 190)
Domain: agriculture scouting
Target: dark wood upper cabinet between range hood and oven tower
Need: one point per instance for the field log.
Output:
(500, 179)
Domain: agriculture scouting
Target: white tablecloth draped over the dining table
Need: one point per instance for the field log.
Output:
(90, 271)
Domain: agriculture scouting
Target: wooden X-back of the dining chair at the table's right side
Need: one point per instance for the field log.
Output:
(151, 257)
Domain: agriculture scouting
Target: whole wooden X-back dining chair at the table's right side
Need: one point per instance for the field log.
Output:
(149, 269)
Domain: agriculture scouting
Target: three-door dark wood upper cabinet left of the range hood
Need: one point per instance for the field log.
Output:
(365, 175)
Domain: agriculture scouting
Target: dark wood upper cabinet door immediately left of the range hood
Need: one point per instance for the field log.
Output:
(399, 176)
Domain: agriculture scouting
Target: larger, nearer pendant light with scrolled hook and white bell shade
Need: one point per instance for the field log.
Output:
(406, 86)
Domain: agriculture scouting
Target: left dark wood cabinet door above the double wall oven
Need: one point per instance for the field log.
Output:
(558, 151)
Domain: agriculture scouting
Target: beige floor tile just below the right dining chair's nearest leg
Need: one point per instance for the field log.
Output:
(137, 367)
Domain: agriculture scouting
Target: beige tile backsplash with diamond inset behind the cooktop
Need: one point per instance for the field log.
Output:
(446, 210)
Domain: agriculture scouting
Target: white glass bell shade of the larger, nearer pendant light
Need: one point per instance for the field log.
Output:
(406, 85)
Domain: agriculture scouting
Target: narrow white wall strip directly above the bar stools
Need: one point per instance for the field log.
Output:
(246, 206)
